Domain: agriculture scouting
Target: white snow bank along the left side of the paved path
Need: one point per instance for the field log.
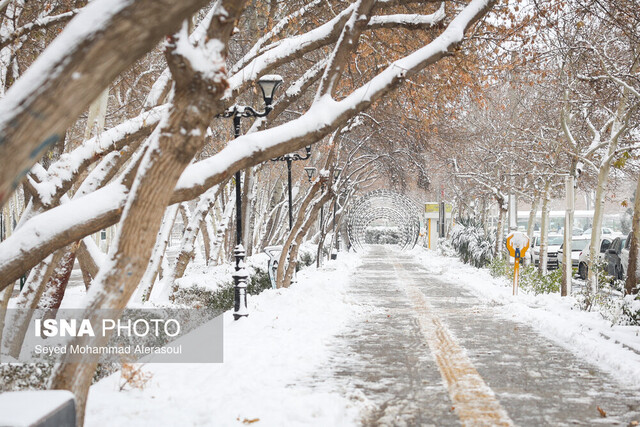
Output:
(267, 358)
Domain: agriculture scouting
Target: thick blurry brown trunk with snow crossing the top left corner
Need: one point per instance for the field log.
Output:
(101, 41)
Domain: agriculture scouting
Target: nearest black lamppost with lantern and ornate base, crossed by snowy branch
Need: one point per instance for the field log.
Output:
(268, 84)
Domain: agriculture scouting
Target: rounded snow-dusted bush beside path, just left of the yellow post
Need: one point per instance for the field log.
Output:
(472, 244)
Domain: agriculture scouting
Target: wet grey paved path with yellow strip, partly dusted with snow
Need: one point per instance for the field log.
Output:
(487, 370)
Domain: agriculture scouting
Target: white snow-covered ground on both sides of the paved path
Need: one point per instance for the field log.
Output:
(272, 356)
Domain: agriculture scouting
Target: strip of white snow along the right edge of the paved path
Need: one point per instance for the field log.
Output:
(615, 349)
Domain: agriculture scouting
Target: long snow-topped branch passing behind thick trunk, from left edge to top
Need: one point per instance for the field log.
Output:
(93, 212)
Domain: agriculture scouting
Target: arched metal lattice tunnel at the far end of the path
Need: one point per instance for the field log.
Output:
(384, 205)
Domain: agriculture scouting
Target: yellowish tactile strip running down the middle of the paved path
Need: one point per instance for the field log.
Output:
(473, 400)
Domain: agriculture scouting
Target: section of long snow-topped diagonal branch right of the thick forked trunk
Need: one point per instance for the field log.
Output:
(324, 115)
